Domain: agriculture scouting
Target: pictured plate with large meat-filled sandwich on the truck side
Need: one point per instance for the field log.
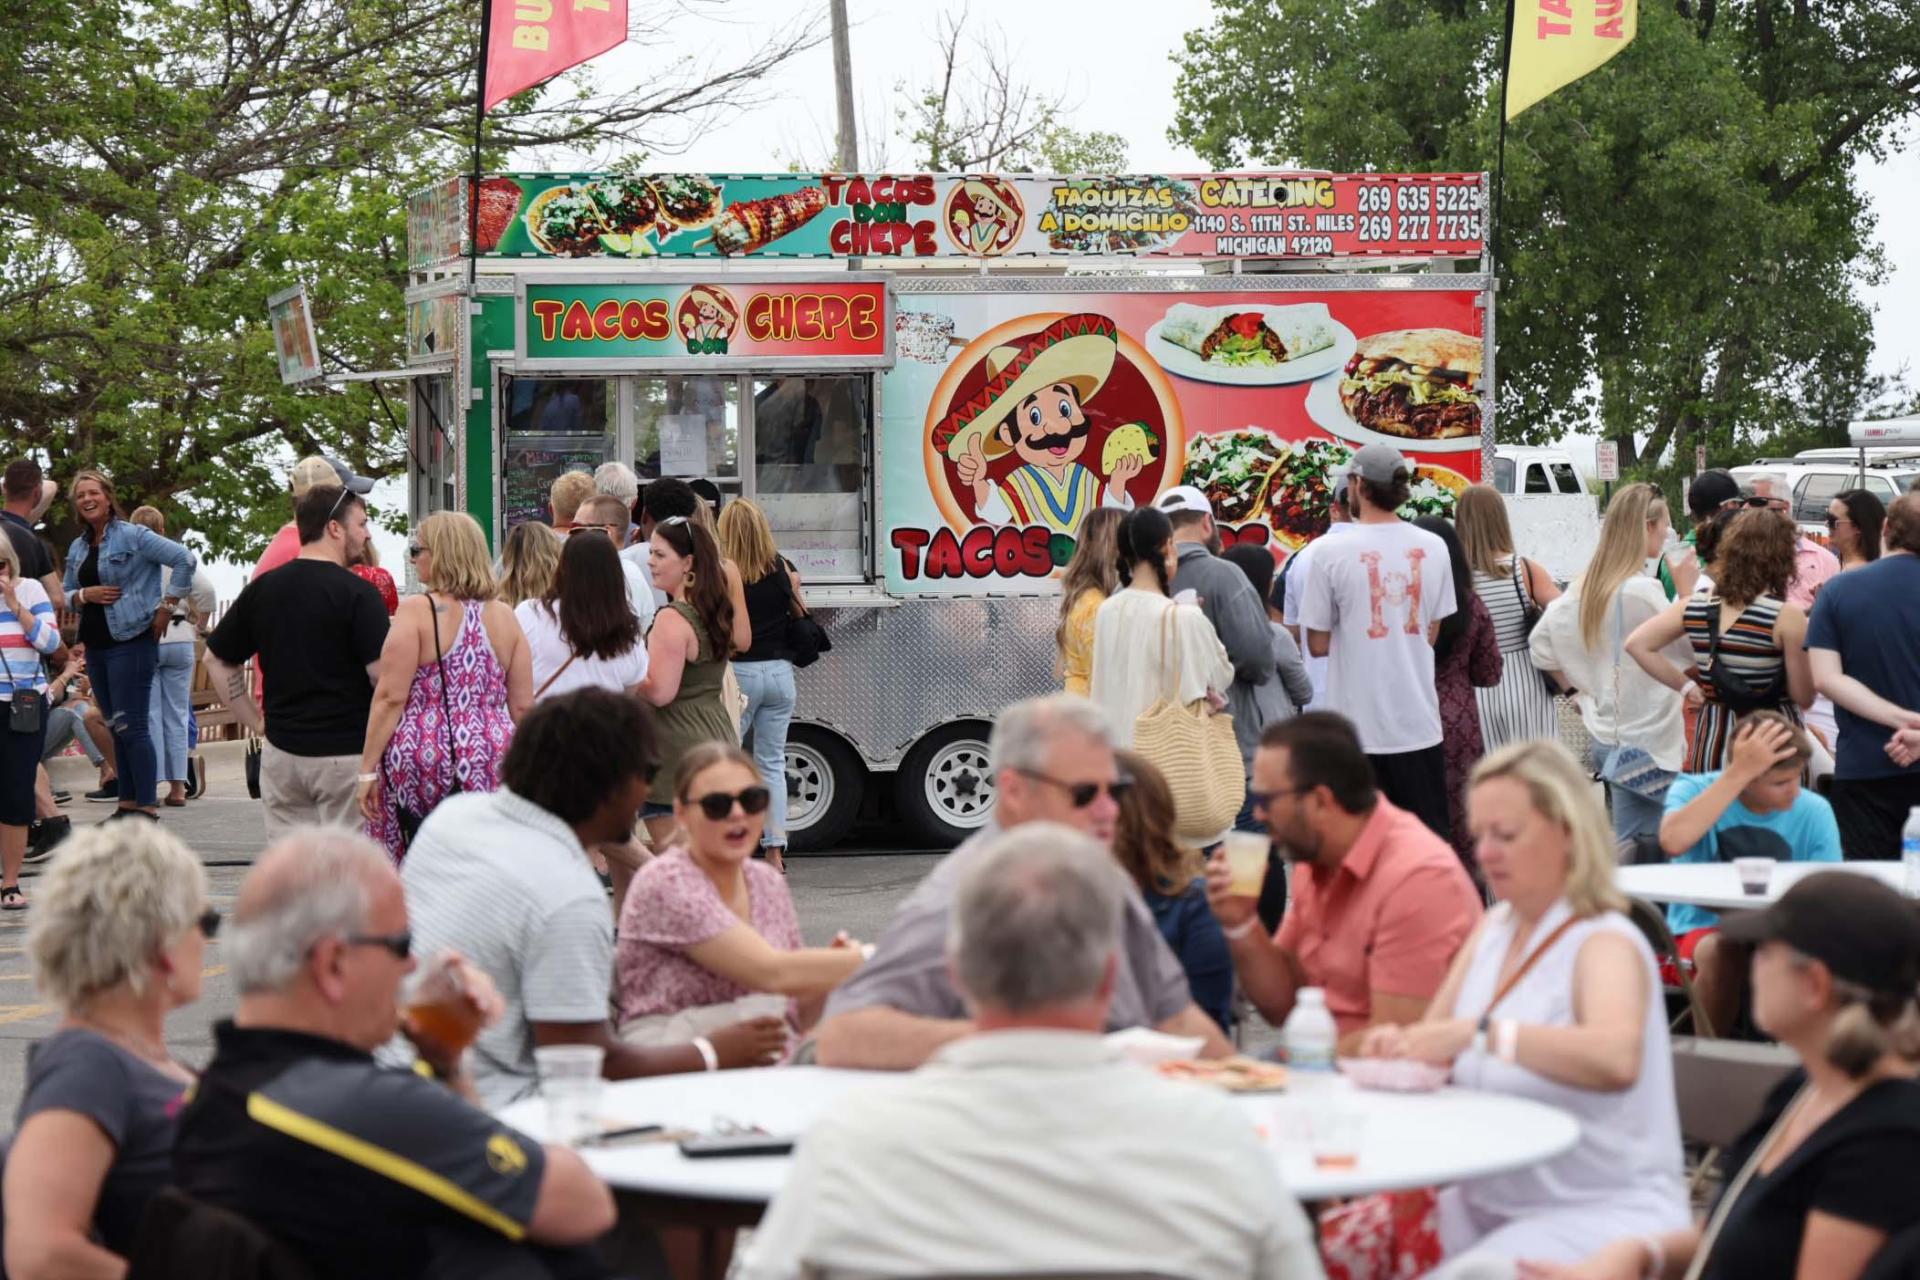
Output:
(1412, 389)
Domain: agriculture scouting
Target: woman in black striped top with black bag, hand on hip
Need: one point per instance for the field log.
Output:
(1762, 638)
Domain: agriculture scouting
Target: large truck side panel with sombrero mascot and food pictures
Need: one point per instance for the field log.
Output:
(1009, 419)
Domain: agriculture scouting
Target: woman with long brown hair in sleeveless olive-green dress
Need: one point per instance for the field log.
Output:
(686, 652)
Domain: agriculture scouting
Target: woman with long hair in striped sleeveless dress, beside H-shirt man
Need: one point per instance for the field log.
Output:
(1514, 590)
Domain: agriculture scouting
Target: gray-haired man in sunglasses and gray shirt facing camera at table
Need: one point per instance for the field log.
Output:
(1053, 761)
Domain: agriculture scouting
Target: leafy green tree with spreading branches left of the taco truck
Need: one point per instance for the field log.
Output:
(170, 164)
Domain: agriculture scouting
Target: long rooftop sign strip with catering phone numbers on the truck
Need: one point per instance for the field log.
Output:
(1216, 216)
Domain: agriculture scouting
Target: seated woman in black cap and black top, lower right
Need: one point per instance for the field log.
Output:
(1825, 1177)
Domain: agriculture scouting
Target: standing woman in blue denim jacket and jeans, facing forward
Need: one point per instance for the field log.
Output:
(114, 582)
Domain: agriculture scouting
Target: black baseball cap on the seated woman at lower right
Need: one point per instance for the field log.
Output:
(1856, 926)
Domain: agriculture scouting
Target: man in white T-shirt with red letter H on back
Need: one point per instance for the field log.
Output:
(1372, 607)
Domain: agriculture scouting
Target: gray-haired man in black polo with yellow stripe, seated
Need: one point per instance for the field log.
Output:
(362, 1170)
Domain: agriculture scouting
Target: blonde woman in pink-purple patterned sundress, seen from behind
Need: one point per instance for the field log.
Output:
(456, 676)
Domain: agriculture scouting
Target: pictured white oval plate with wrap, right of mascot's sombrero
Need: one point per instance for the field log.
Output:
(1251, 346)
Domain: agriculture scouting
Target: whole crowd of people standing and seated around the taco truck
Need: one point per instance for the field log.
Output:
(562, 782)
